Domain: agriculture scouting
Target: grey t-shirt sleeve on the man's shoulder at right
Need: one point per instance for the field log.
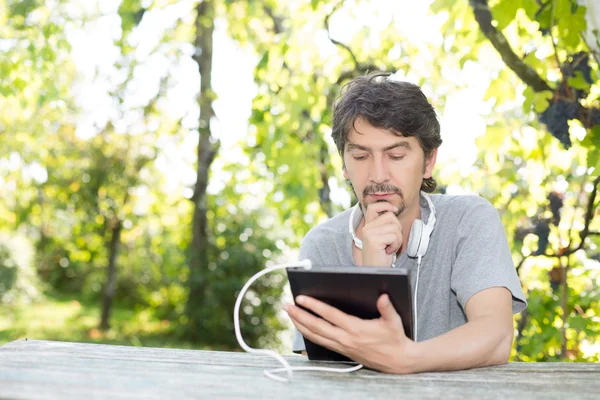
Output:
(483, 259)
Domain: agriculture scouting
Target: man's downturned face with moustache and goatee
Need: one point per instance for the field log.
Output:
(382, 166)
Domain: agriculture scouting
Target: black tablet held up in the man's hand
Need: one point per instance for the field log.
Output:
(353, 290)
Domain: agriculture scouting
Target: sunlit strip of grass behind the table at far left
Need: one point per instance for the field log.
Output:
(68, 319)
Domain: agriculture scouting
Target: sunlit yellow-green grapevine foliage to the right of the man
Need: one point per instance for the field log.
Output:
(542, 191)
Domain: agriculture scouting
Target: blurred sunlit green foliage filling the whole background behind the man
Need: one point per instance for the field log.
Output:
(279, 186)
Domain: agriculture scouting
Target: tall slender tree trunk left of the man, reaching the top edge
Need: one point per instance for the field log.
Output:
(207, 149)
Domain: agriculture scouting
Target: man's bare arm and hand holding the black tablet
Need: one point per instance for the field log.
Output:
(381, 343)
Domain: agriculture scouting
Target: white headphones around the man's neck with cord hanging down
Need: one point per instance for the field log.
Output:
(418, 242)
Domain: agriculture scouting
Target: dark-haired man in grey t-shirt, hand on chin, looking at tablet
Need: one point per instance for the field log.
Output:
(388, 136)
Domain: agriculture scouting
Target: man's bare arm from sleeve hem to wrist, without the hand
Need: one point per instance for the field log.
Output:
(486, 339)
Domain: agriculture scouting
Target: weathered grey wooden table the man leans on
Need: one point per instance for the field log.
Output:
(32, 369)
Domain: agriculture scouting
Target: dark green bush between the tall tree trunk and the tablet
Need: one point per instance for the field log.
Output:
(242, 247)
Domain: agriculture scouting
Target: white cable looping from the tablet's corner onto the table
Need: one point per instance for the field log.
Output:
(286, 366)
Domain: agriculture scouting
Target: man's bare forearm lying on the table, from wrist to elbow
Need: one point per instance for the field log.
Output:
(478, 343)
